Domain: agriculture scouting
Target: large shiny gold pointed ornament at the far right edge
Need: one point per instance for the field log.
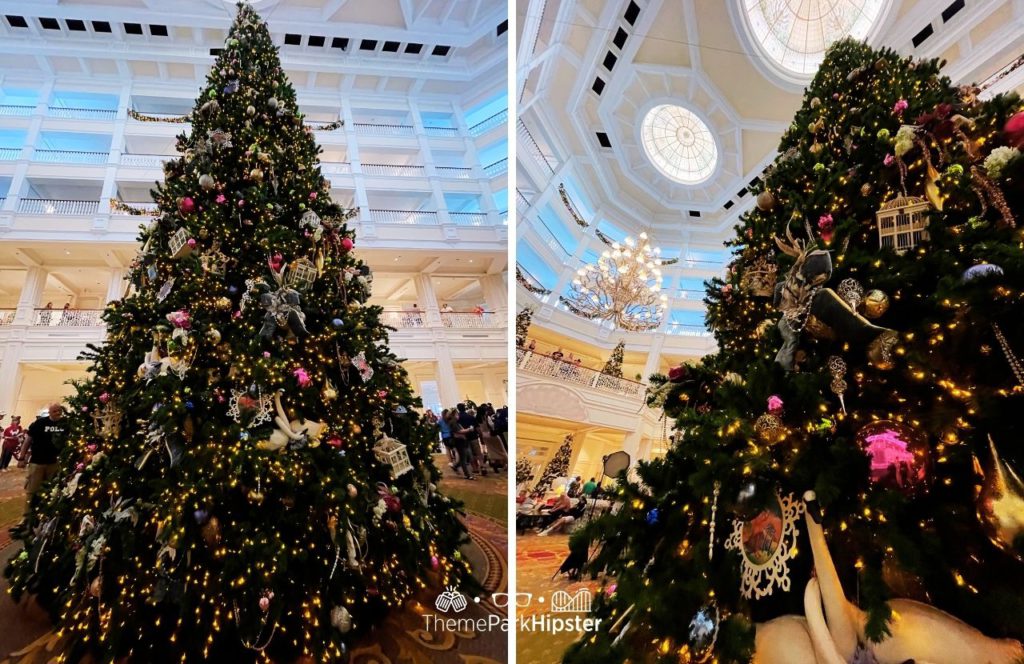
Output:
(1001, 502)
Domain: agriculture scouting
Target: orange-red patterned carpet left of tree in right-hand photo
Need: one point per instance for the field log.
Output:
(537, 561)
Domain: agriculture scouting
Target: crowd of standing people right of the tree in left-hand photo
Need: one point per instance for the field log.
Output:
(476, 438)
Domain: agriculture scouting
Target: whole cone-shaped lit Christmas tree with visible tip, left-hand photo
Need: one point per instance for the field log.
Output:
(244, 478)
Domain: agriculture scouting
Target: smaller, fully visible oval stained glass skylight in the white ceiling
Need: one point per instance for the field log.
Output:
(679, 144)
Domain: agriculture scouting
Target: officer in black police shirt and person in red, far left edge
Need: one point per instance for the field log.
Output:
(36, 447)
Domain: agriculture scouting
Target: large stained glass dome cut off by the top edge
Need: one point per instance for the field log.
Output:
(795, 34)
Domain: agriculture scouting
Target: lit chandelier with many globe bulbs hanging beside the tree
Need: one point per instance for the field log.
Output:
(624, 287)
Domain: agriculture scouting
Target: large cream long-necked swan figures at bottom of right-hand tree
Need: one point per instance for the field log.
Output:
(919, 633)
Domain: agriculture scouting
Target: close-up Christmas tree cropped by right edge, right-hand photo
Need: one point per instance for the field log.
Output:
(861, 418)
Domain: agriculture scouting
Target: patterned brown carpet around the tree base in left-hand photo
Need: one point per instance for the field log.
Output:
(26, 637)
